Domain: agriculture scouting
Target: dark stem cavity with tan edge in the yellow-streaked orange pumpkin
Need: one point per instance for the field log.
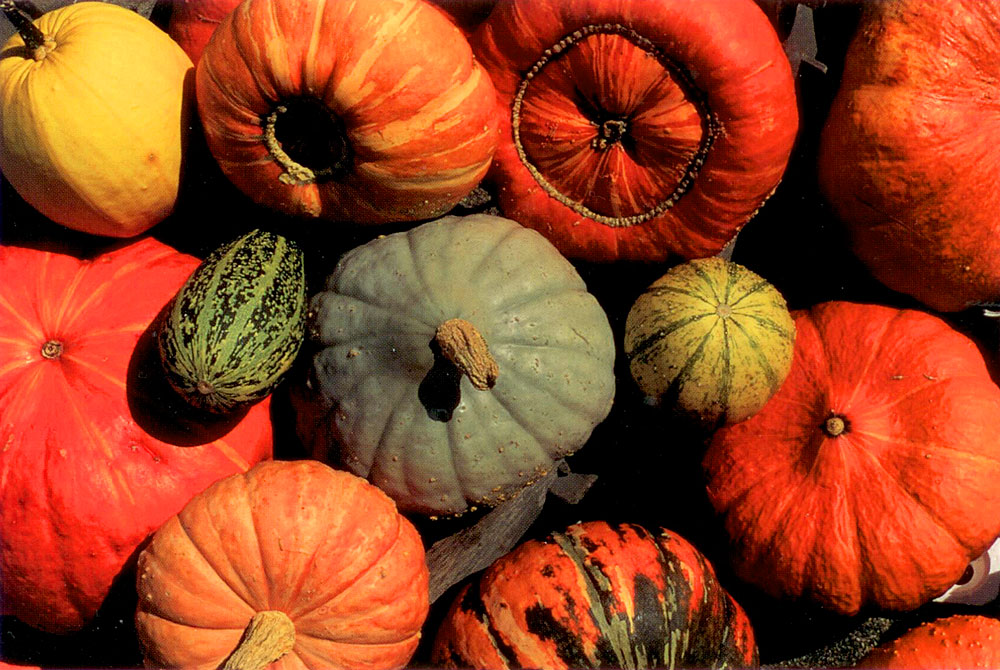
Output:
(307, 140)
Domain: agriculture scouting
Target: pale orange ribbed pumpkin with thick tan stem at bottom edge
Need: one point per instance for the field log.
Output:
(315, 564)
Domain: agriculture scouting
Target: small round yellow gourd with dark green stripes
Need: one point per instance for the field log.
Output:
(710, 338)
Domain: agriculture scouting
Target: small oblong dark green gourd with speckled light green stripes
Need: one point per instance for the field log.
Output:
(237, 324)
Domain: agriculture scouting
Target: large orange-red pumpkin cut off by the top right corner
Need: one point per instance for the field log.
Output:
(909, 142)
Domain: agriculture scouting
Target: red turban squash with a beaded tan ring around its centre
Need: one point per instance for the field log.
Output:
(640, 129)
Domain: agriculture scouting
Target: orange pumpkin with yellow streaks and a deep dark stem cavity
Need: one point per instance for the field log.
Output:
(367, 112)
